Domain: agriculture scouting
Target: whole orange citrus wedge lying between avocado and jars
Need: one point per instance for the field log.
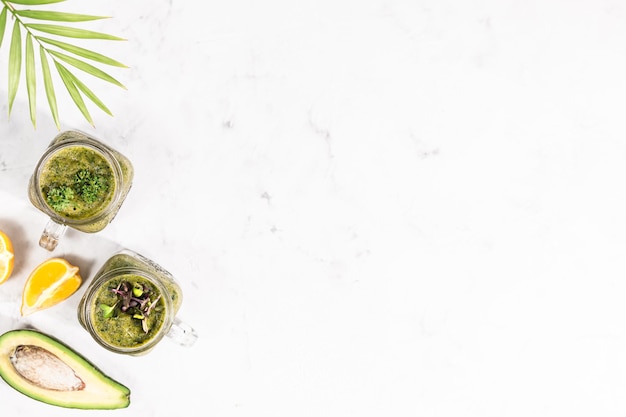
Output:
(53, 281)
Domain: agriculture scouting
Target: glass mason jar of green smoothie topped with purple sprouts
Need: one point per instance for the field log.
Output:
(131, 305)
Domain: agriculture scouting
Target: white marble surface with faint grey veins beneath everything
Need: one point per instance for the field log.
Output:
(380, 207)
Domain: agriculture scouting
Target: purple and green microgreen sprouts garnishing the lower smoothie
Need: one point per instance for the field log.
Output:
(136, 300)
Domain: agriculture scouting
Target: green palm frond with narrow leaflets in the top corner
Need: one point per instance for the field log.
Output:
(53, 53)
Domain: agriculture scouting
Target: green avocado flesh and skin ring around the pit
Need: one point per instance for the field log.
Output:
(100, 391)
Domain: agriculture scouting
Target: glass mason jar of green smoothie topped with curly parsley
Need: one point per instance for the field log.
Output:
(78, 182)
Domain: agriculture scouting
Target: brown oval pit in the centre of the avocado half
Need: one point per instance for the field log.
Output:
(44, 369)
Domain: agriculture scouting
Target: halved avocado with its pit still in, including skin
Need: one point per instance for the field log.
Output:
(47, 370)
